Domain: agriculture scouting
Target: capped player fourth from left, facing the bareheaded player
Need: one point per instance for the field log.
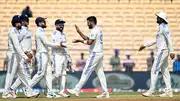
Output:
(61, 56)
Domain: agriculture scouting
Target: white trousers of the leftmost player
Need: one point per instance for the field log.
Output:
(15, 67)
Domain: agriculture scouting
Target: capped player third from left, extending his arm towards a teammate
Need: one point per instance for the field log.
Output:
(42, 56)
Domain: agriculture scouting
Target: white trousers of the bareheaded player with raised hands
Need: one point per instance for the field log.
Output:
(94, 62)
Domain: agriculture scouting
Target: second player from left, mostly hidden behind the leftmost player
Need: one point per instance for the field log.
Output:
(25, 41)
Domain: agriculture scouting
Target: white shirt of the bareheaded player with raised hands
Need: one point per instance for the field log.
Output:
(97, 45)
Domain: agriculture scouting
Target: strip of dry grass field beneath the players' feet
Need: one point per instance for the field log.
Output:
(91, 97)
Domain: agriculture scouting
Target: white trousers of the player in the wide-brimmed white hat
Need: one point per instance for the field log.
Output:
(160, 64)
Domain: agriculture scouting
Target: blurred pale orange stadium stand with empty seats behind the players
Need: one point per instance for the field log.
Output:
(126, 24)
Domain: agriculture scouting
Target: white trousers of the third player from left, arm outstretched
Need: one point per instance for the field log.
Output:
(44, 70)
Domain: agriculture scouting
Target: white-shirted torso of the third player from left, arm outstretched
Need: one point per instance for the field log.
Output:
(40, 46)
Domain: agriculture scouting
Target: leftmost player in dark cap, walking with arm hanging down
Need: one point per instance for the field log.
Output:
(16, 57)
